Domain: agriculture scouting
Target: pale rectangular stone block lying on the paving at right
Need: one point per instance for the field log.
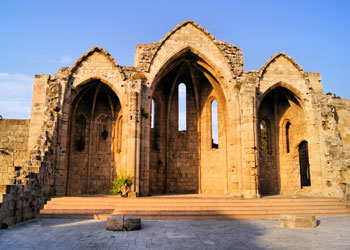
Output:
(297, 221)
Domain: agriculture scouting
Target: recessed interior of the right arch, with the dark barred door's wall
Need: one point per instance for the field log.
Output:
(281, 127)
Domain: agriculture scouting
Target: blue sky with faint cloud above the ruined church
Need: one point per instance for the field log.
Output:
(39, 37)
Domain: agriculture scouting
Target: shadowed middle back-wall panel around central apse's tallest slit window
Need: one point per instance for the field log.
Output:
(182, 146)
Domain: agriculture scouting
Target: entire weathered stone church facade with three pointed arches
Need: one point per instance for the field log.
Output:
(277, 132)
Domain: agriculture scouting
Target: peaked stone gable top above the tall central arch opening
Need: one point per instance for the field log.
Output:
(225, 58)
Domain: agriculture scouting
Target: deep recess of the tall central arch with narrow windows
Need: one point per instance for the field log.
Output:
(182, 160)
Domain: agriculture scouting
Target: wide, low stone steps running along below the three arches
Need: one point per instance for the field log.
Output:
(188, 207)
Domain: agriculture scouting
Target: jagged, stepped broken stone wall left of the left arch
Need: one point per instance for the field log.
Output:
(23, 201)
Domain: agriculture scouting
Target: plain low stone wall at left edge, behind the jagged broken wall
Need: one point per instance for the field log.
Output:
(13, 148)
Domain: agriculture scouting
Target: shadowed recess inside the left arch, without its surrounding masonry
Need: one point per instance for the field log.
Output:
(93, 140)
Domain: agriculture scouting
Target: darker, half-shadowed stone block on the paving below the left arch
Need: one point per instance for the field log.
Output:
(123, 223)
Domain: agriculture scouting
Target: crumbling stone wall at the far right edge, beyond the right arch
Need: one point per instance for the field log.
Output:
(335, 148)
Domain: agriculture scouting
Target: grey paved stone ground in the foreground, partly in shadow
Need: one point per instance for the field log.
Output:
(333, 232)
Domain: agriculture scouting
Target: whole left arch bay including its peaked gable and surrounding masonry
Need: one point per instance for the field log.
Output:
(95, 88)
